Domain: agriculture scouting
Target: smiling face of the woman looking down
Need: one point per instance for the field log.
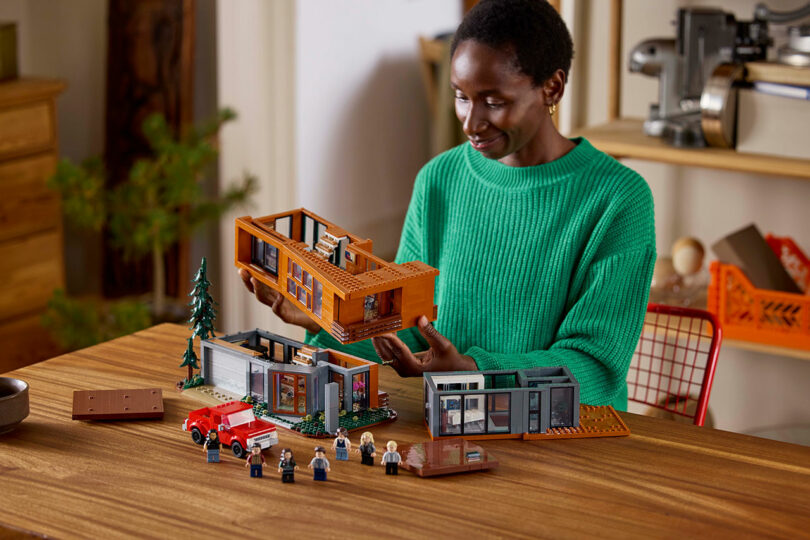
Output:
(501, 111)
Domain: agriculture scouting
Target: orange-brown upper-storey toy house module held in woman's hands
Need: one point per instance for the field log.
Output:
(332, 275)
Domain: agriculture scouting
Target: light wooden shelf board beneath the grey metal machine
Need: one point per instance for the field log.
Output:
(625, 138)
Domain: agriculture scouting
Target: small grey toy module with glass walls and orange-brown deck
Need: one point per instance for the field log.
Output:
(538, 403)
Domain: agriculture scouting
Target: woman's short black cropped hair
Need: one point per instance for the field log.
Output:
(531, 28)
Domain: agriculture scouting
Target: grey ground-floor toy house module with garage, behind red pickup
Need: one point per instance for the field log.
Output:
(294, 385)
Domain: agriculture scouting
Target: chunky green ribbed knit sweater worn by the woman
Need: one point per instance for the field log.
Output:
(539, 266)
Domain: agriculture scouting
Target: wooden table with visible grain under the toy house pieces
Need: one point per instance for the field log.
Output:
(146, 478)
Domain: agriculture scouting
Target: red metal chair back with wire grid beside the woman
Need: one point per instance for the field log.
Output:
(675, 360)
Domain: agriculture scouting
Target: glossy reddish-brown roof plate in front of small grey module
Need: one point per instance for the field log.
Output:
(446, 456)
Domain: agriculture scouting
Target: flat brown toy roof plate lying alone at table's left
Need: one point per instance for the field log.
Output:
(136, 403)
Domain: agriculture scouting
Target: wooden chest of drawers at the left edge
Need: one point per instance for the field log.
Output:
(31, 248)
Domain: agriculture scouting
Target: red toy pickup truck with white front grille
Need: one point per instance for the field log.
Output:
(235, 425)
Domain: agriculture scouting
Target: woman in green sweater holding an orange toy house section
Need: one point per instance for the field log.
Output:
(545, 245)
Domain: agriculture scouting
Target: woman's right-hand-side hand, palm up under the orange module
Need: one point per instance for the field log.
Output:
(442, 355)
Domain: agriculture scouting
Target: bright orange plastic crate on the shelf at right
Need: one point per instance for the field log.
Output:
(759, 315)
